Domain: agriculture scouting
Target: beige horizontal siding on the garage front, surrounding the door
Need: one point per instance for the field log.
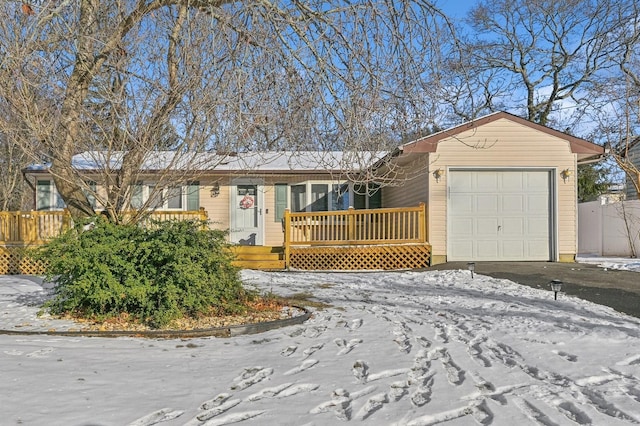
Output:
(504, 144)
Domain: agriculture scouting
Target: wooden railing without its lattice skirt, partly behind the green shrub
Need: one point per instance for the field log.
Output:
(36, 227)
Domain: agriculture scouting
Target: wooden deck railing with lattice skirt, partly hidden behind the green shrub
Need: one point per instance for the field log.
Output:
(20, 231)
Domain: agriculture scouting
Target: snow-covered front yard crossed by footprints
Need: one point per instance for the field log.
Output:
(403, 348)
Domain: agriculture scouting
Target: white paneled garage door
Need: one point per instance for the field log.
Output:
(499, 215)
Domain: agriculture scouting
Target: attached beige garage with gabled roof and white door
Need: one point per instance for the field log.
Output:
(499, 188)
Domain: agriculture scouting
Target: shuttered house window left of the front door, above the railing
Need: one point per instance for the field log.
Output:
(170, 198)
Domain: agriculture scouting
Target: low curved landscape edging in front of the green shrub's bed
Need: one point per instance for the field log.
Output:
(229, 331)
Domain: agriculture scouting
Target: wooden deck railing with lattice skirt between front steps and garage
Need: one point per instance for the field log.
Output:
(391, 238)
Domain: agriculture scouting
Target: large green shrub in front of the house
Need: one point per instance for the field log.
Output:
(172, 269)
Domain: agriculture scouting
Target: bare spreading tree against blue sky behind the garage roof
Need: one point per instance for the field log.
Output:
(546, 51)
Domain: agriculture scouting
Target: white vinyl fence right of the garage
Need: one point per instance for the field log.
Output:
(609, 229)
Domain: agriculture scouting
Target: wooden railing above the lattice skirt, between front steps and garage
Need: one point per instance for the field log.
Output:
(354, 228)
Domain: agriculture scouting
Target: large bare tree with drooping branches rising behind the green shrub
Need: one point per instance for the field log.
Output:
(120, 80)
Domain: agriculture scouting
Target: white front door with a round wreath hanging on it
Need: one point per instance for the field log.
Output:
(246, 214)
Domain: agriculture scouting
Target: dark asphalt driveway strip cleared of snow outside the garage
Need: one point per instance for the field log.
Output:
(619, 290)
